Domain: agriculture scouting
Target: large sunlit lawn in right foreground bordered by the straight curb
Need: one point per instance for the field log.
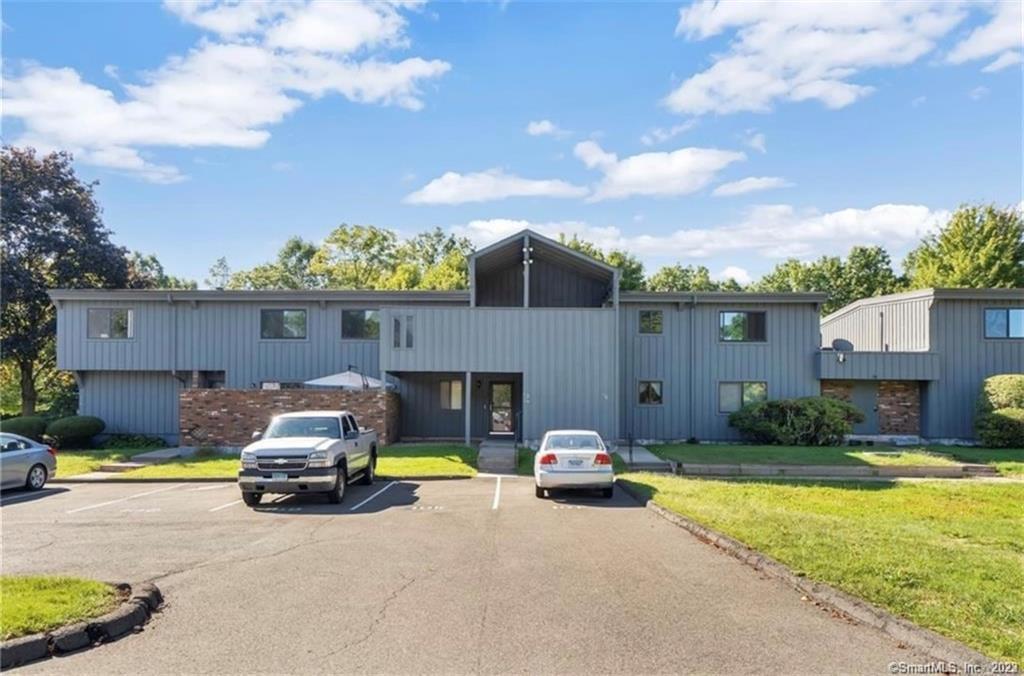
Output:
(949, 556)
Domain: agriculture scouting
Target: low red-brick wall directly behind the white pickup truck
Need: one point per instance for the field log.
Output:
(229, 417)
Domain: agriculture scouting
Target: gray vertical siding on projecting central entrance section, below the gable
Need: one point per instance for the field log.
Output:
(567, 358)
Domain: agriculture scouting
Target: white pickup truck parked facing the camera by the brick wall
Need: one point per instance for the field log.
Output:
(308, 452)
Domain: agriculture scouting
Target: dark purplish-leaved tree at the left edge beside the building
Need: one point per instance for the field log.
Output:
(54, 238)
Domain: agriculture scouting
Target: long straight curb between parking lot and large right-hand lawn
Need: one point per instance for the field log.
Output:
(935, 646)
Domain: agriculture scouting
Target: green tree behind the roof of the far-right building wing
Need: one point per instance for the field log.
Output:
(982, 247)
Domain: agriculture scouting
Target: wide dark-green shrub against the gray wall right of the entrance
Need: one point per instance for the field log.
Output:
(806, 421)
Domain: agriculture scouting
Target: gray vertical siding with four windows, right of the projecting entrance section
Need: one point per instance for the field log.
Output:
(785, 362)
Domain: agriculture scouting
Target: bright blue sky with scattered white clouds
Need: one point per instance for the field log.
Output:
(727, 135)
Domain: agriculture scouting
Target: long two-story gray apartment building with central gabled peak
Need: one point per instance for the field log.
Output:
(542, 340)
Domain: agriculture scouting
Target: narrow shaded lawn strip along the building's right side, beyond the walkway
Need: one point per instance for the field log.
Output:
(1007, 461)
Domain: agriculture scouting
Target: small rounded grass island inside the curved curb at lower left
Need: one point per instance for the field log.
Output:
(38, 604)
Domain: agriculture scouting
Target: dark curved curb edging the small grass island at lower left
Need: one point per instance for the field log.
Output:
(129, 617)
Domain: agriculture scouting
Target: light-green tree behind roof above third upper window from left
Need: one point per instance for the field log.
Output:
(356, 258)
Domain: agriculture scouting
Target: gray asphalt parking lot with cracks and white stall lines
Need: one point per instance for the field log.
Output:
(460, 576)
